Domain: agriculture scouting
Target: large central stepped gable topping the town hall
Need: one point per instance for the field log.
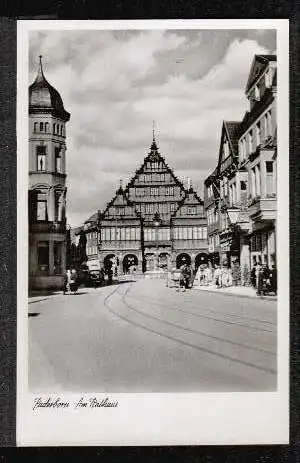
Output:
(155, 188)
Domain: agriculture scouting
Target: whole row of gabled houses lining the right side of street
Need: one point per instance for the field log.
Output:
(240, 195)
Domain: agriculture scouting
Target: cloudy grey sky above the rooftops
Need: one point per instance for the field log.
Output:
(116, 83)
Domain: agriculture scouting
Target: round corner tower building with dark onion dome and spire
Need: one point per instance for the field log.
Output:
(47, 184)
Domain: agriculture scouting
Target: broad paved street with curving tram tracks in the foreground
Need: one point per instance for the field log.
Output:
(144, 337)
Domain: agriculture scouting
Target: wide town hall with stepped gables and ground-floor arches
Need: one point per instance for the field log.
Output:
(154, 223)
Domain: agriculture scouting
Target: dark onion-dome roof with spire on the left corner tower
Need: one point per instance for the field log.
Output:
(45, 98)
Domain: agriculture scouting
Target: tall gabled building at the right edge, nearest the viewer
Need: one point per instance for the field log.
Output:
(258, 155)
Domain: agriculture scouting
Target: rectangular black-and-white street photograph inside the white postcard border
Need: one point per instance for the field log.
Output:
(152, 211)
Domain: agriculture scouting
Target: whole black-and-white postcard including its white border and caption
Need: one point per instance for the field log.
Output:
(153, 268)
